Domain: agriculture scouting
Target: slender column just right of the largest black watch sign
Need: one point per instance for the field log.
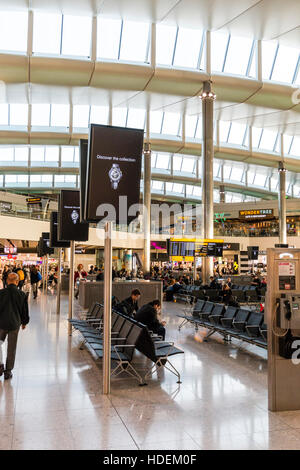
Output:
(147, 205)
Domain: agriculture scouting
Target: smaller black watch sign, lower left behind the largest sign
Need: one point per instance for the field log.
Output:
(69, 225)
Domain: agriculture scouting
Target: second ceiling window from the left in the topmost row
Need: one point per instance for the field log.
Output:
(47, 33)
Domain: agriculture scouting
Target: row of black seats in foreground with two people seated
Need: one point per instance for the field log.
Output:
(126, 335)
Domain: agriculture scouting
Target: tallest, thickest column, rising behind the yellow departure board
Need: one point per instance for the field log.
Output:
(208, 98)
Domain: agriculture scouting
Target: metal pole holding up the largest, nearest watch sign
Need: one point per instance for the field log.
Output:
(107, 307)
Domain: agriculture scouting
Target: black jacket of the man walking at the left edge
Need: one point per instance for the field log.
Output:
(13, 308)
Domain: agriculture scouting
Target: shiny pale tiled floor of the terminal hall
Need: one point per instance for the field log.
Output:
(54, 400)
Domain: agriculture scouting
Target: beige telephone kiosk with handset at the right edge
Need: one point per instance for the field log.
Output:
(282, 314)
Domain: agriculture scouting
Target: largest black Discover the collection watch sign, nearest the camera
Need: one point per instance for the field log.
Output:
(113, 173)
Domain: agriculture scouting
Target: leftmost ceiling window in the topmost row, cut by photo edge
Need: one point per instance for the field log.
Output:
(13, 31)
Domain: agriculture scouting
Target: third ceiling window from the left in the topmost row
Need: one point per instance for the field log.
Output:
(76, 35)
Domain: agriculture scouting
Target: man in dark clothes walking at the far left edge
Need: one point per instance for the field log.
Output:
(13, 314)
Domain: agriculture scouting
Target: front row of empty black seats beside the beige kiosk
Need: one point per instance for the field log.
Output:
(240, 323)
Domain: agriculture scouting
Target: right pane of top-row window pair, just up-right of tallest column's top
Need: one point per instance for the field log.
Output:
(238, 55)
